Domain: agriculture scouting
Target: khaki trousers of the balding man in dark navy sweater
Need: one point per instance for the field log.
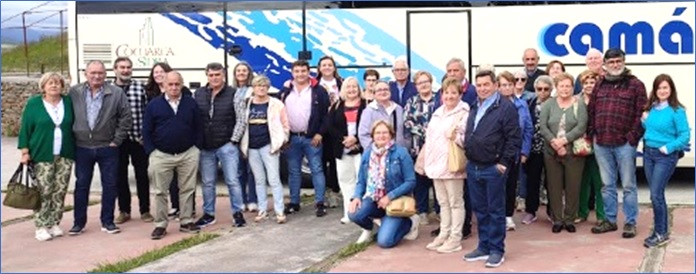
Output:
(161, 172)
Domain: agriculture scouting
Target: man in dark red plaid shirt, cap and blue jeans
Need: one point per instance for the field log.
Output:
(614, 113)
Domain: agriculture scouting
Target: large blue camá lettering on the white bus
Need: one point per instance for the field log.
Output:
(560, 39)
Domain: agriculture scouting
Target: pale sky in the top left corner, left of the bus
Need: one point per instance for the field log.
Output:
(12, 8)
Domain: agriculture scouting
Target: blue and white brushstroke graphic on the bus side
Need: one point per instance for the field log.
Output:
(270, 40)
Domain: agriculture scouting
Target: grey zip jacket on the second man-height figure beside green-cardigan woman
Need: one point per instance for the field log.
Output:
(112, 123)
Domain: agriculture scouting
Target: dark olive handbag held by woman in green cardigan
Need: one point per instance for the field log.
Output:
(23, 195)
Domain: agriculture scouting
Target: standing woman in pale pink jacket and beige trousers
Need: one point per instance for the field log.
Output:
(447, 124)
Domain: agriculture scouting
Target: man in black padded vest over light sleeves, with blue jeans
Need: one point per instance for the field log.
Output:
(222, 130)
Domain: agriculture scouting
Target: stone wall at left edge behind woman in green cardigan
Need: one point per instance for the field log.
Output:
(15, 93)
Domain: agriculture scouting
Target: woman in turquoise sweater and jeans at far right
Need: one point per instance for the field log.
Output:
(666, 135)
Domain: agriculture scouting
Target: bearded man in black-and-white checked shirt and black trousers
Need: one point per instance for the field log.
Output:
(133, 146)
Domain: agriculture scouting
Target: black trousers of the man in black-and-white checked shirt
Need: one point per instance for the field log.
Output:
(131, 152)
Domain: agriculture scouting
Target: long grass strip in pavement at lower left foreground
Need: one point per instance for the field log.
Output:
(153, 255)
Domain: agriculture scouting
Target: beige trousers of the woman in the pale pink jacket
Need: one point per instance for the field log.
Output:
(450, 196)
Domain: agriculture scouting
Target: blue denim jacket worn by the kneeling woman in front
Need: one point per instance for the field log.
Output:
(401, 176)
